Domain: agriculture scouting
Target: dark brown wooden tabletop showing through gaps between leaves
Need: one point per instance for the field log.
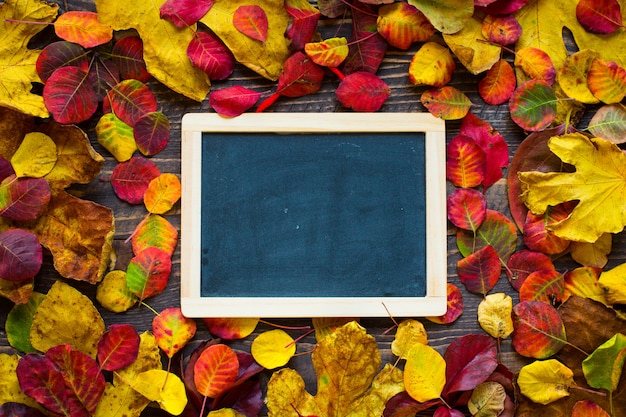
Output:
(404, 98)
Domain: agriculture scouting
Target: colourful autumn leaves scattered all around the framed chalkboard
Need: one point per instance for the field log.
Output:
(567, 188)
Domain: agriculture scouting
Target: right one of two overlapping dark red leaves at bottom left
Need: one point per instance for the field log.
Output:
(82, 377)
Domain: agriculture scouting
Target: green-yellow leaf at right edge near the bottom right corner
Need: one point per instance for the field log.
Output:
(603, 368)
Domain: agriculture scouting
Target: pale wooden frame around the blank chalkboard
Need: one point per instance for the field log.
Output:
(193, 304)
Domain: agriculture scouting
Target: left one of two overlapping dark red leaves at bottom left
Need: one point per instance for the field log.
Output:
(41, 380)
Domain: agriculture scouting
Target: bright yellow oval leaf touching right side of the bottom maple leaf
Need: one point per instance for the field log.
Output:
(424, 373)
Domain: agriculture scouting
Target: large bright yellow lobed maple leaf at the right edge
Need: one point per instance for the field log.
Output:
(599, 185)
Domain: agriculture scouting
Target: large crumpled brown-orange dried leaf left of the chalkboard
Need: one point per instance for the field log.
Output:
(79, 233)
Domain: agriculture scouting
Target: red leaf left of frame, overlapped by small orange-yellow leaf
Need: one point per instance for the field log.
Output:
(130, 179)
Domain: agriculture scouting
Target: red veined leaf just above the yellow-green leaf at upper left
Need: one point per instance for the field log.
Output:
(130, 100)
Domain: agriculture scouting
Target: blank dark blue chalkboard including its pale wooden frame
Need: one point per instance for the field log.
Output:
(337, 214)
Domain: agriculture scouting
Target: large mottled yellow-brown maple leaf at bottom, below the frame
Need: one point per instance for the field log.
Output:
(347, 362)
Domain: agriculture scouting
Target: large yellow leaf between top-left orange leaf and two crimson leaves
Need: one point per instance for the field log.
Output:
(164, 45)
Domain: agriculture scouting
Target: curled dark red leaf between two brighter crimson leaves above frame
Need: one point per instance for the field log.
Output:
(300, 76)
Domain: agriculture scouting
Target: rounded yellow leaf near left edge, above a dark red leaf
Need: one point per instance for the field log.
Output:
(35, 157)
